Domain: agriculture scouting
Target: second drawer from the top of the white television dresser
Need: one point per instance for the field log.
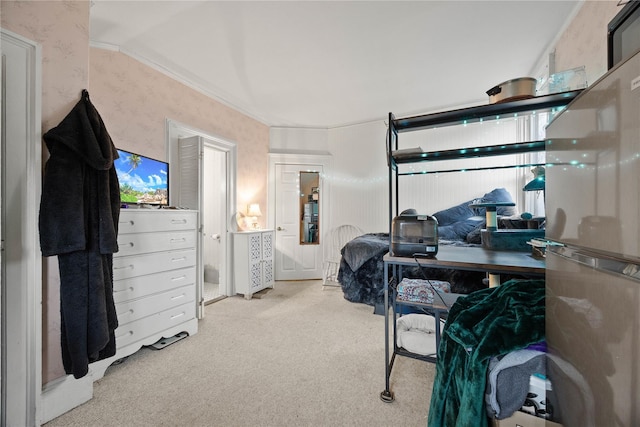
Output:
(137, 243)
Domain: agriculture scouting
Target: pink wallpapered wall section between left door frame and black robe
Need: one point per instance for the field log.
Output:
(62, 29)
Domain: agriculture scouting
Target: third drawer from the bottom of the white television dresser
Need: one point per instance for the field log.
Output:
(142, 286)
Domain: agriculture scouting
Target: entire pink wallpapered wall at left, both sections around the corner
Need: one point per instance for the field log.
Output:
(134, 101)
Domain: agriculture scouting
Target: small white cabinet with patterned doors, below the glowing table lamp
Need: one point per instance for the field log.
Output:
(253, 261)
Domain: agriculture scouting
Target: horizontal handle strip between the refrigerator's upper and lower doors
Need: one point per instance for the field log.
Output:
(600, 262)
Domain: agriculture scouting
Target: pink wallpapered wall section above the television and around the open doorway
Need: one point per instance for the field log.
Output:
(135, 99)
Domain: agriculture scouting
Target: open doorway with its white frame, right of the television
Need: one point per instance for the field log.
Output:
(204, 177)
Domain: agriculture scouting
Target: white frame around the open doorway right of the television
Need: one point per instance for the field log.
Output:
(176, 130)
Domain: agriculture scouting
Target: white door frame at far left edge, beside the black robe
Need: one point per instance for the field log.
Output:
(22, 327)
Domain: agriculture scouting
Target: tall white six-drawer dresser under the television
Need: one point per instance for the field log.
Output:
(154, 277)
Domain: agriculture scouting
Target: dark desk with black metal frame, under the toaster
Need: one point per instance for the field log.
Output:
(457, 258)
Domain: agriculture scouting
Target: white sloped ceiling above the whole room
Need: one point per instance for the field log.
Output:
(325, 64)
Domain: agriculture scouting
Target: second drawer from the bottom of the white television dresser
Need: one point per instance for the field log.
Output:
(130, 311)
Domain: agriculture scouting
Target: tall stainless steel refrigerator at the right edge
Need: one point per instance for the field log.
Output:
(593, 275)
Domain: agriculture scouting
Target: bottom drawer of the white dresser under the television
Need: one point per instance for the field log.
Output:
(148, 326)
